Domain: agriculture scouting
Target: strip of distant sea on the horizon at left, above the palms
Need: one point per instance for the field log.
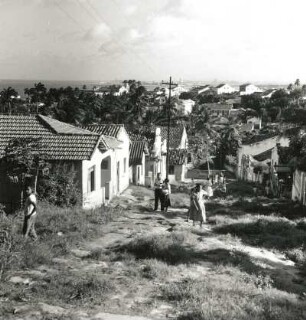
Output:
(20, 85)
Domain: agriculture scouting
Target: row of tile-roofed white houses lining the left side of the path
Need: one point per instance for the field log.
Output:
(105, 157)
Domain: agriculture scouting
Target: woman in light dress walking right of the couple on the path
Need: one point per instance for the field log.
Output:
(197, 207)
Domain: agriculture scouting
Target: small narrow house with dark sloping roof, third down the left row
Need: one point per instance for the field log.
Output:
(137, 162)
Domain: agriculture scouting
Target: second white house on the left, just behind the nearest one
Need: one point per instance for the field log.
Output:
(117, 137)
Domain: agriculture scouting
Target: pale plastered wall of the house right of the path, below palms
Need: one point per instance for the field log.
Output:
(259, 147)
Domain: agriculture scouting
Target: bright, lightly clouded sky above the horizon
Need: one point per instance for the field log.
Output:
(204, 40)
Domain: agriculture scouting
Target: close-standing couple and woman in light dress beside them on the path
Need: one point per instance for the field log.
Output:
(196, 210)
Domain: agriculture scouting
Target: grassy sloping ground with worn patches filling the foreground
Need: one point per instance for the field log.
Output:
(157, 264)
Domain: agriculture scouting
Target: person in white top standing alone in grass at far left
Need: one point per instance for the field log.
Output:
(30, 214)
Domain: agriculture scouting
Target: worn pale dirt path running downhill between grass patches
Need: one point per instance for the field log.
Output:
(138, 219)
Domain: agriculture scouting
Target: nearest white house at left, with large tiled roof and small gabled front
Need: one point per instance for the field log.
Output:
(67, 146)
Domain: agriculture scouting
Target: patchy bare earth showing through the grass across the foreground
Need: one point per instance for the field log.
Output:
(135, 296)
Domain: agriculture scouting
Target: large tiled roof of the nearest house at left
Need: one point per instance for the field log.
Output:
(60, 141)
